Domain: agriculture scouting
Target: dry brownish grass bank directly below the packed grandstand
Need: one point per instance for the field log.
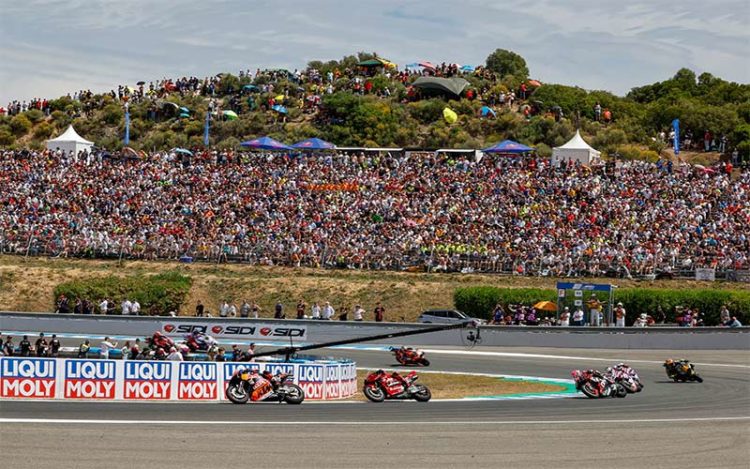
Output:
(28, 285)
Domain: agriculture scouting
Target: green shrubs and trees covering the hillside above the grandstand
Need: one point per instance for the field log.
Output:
(398, 118)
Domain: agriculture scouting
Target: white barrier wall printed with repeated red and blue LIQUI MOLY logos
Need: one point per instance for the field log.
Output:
(101, 379)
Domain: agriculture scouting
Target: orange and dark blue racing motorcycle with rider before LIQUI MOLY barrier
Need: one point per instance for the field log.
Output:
(246, 386)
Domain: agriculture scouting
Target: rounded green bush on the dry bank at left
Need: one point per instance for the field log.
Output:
(157, 294)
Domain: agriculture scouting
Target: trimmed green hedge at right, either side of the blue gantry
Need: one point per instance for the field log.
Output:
(480, 301)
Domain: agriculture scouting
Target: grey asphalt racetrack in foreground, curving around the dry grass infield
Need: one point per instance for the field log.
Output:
(667, 425)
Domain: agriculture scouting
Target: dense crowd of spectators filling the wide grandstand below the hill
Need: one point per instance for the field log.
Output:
(378, 211)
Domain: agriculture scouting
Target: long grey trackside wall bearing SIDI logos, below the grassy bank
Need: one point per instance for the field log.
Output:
(284, 332)
